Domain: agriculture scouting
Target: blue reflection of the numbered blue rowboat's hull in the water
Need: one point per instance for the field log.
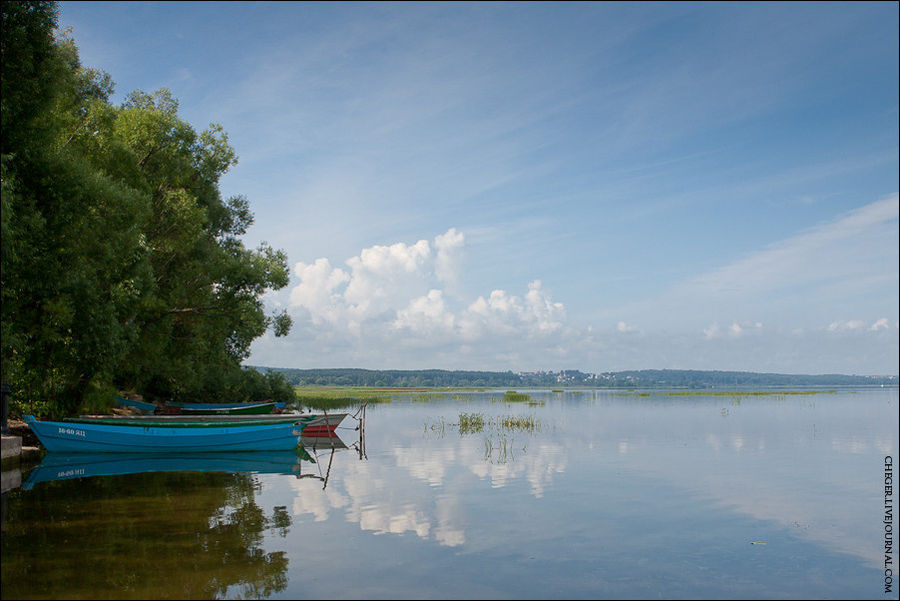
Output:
(68, 466)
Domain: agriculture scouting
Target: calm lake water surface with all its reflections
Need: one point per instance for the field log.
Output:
(591, 494)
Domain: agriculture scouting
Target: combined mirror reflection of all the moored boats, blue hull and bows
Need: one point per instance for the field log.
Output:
(311, 450)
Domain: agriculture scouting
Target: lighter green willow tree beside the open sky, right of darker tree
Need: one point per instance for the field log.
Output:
(205, 307)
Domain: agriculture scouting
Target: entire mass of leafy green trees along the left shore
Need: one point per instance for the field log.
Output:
(121, 261)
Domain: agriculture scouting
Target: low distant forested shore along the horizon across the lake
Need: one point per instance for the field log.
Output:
(650, 378)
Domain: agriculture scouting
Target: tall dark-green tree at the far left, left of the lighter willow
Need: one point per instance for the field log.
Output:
(64, 286)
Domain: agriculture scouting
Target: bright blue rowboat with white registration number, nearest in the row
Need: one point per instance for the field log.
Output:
(164, 438)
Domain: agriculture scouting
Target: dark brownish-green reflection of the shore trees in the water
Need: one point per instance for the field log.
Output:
(162, 535)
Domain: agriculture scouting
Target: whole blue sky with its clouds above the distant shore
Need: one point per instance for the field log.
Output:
(544, 186)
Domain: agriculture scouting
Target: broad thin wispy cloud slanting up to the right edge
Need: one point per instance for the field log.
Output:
(809, 280)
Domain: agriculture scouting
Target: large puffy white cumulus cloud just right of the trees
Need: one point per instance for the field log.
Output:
(401, 287)
